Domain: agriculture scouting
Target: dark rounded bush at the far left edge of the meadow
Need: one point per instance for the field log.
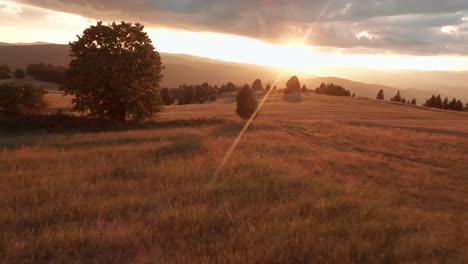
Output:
(21, 99)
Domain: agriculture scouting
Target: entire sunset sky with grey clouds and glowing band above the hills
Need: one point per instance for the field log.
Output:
(307, 35)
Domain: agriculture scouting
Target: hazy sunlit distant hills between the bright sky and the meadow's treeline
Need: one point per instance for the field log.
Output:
(186, 69)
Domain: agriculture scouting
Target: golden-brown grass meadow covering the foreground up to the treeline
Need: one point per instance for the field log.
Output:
(324, 180)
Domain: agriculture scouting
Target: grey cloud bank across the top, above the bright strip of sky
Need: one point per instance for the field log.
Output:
(398, 26)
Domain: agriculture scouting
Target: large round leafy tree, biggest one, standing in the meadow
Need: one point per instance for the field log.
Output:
(115, 72)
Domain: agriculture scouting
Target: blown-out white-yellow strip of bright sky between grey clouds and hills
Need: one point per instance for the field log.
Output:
(61, 27)
